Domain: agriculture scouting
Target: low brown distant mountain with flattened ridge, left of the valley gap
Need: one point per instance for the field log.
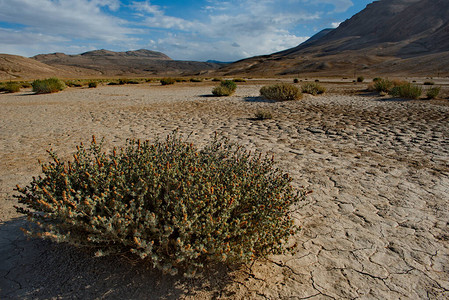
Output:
(138, 63)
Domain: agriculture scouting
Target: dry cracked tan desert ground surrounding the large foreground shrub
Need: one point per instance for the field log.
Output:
(375, 227)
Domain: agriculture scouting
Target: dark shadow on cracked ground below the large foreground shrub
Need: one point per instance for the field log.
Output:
(38, 269)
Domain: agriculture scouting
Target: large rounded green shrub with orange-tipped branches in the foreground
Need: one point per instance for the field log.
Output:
(168, 202)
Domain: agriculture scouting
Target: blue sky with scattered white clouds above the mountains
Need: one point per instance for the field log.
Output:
(185, 30)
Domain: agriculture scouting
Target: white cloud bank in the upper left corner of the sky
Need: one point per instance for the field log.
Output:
(81, 19)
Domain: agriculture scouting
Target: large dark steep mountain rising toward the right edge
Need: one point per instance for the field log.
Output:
(401, 37)
